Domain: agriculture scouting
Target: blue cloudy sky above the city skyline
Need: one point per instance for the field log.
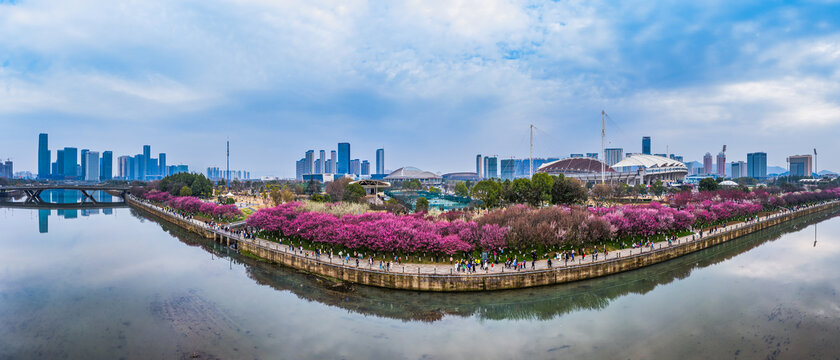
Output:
(432, 82)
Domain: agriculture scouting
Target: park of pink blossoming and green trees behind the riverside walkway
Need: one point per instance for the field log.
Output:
(521, 220)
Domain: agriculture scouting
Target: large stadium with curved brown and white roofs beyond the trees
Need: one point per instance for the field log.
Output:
(640, 169)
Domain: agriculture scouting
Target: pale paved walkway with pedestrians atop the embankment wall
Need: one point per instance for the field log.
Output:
(447, 269)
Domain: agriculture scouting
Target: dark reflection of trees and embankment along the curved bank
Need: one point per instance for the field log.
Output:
(540, 303)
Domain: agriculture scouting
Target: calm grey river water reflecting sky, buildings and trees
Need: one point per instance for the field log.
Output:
(115, 284)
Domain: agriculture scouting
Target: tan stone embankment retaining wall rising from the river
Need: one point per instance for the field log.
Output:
(479, 282)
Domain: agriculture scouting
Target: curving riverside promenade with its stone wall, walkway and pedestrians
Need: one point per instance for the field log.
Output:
(444, 277)
